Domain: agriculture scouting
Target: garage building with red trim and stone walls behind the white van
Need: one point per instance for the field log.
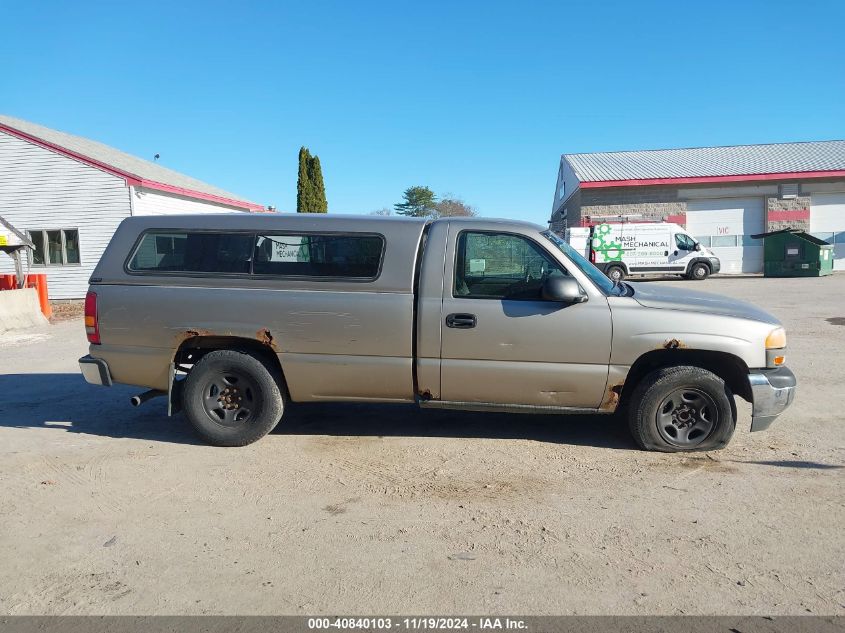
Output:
(721, 195)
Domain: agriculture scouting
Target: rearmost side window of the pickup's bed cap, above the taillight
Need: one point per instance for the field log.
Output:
(193, 252)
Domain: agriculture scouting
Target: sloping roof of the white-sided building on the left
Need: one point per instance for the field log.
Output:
(101, 155)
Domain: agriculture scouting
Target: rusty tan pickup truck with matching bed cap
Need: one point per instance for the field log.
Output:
(231, 317)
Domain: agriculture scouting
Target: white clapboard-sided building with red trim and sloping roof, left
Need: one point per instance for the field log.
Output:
(69, 194)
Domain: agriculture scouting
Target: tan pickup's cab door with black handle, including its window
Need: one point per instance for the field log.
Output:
(501, 343)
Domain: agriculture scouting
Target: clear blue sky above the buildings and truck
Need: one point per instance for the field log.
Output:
(474, 98)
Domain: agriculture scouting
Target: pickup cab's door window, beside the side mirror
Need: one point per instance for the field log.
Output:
(501, 266)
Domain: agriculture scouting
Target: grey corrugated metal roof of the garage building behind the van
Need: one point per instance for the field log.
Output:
(709, 162)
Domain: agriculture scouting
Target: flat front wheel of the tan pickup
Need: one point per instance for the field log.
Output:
(681, 409)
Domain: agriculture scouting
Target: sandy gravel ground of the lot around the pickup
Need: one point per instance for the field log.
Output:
(386, 509)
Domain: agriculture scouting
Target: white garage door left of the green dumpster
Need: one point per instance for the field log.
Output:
(725, 226)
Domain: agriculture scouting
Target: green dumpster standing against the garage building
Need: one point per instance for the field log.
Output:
(794, 253)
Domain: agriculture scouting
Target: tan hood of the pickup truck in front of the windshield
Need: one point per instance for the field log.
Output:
(657, 295)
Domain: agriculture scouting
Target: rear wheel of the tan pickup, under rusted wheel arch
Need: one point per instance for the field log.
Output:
(249, 411)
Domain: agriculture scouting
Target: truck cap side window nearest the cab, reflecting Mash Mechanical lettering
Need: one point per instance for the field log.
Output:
(310, 255)
